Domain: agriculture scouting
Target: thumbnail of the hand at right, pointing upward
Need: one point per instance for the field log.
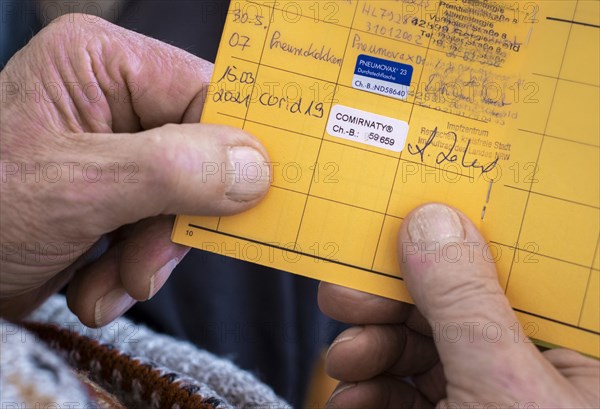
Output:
(435, 223)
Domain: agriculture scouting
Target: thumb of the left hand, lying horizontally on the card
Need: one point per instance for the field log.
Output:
(174, 169)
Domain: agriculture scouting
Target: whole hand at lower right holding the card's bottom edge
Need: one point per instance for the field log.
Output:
(476, 356)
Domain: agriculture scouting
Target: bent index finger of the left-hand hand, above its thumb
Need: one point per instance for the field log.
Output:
(108, 79)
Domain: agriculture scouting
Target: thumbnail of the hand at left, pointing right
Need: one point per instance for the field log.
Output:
(249, 174)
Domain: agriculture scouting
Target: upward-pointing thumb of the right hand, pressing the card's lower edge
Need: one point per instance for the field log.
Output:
(481, 345)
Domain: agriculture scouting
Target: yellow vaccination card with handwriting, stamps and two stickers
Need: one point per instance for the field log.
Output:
(371, 108)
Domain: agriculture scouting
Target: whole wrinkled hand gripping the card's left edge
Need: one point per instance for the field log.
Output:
(88, 166)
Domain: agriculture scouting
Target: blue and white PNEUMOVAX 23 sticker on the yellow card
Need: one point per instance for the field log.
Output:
(382, 77)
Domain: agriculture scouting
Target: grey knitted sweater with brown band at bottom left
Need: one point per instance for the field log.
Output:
(53, 361)
